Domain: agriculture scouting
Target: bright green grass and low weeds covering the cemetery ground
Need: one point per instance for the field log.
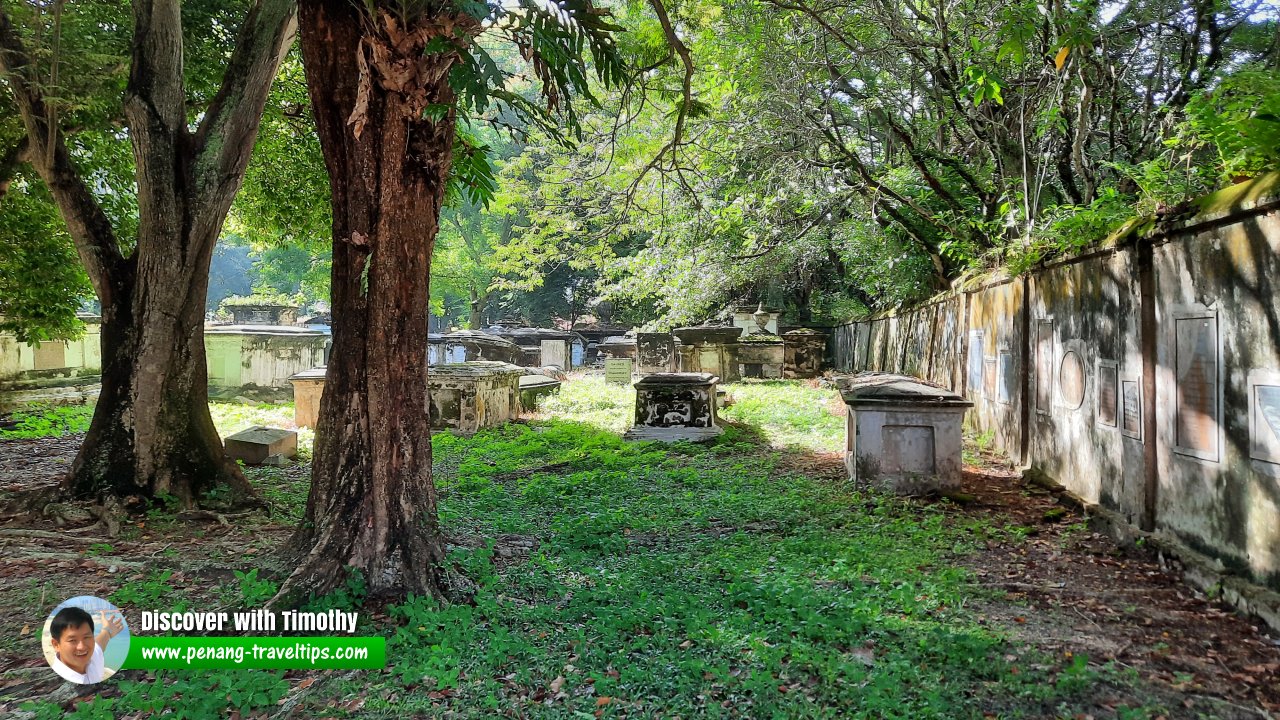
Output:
(693, 581)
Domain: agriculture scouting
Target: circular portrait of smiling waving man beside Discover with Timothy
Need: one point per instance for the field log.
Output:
(86, 640)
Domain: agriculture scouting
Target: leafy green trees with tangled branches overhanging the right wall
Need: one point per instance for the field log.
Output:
(852, 156)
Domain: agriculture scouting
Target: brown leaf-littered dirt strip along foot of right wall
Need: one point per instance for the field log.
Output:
(1073, 591)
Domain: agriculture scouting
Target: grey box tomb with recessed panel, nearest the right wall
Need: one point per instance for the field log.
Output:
(903, 435)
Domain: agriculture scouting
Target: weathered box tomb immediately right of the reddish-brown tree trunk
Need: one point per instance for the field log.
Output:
(469, 397)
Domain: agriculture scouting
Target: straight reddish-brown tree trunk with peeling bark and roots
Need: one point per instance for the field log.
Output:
(373, 504)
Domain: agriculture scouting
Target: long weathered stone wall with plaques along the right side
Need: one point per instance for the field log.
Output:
(1144, 377)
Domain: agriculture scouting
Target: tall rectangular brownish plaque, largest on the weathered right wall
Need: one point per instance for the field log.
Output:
(1196, 372)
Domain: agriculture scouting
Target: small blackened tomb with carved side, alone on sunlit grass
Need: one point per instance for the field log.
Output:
(675, 407)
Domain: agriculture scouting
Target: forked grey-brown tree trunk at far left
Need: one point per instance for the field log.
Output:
(152, 434)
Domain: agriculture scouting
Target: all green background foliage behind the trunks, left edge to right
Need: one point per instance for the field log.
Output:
(829, 160)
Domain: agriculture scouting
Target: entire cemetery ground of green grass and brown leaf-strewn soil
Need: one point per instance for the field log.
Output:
(742, 578)
